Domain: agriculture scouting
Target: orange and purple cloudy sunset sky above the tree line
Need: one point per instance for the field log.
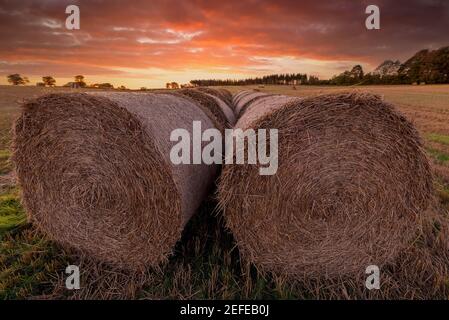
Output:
(148, 43)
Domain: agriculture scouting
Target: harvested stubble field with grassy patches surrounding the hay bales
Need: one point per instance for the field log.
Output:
(206, 262)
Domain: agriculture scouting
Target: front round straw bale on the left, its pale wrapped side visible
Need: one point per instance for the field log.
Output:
(96, 175)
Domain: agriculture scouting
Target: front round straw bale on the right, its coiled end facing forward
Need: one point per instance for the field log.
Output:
(352, 183)
